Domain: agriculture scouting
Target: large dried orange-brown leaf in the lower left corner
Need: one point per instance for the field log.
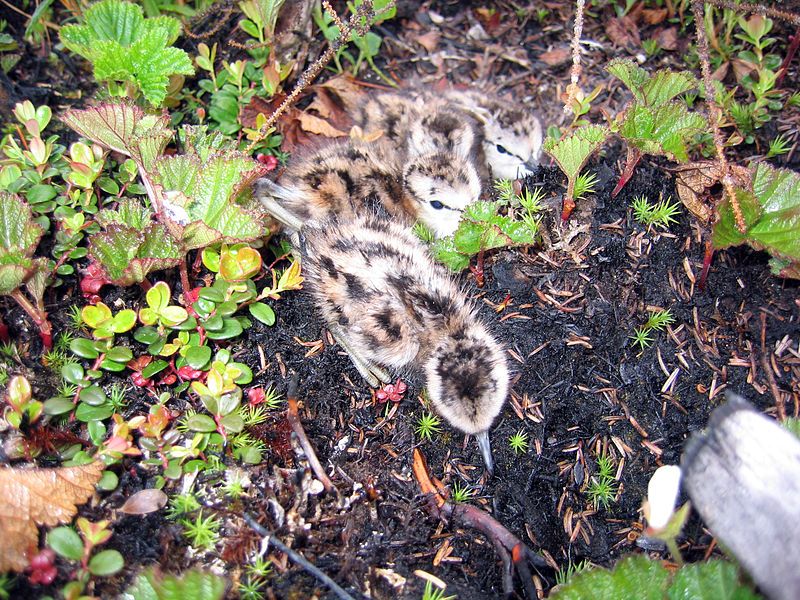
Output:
(34, 497)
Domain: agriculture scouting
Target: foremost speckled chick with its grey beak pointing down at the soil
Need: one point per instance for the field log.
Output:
(389, 305)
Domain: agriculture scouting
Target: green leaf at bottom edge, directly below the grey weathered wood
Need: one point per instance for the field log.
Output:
(712, 580)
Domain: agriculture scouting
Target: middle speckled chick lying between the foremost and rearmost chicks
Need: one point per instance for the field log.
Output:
(352, 178)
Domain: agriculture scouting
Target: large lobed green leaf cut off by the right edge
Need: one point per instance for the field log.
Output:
(771, 212)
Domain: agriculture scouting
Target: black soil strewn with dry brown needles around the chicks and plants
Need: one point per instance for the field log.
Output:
(565, 312)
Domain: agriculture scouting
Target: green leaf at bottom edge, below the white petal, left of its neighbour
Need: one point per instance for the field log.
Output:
(632, 577)
